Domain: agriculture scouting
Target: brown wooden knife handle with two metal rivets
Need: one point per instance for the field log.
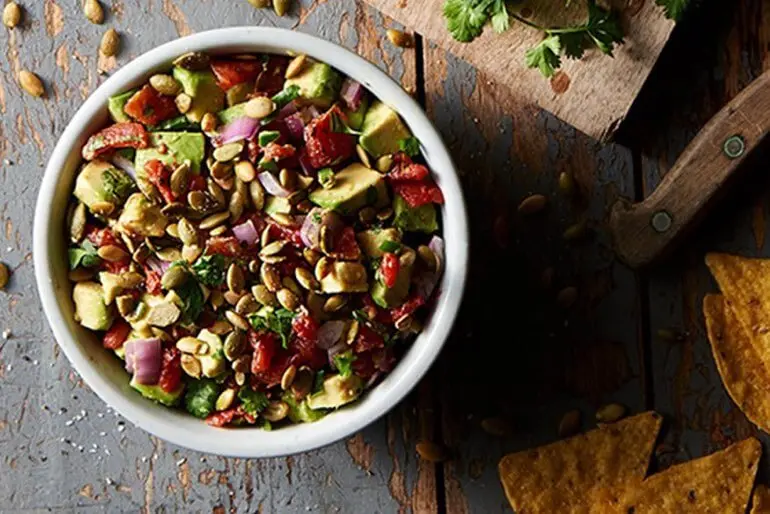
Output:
(647, 230)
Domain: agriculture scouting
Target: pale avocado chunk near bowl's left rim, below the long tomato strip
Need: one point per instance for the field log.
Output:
(100, 181)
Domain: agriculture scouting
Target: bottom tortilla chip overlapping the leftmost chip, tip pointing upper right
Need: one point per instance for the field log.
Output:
(718, 484)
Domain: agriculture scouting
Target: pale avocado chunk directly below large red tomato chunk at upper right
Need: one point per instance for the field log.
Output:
(354, 187)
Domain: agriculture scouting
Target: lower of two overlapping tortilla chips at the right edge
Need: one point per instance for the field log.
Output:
(739, 362)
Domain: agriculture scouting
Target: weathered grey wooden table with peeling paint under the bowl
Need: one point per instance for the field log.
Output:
(515, 352)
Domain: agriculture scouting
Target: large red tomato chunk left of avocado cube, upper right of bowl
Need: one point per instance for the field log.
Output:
(324, 146)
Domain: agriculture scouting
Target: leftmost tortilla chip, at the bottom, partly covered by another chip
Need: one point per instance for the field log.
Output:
(555, 478)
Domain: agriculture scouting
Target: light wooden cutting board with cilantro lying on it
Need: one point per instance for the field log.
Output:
(593, 94)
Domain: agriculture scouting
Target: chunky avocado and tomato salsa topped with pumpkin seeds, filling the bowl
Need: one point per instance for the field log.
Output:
(255, 236)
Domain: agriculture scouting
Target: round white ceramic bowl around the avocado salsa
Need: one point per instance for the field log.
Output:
(105, 374)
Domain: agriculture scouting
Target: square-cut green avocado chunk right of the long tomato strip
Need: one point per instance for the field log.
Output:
(179, 147)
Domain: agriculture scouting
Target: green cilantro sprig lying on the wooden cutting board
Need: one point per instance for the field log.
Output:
(466, 20)
